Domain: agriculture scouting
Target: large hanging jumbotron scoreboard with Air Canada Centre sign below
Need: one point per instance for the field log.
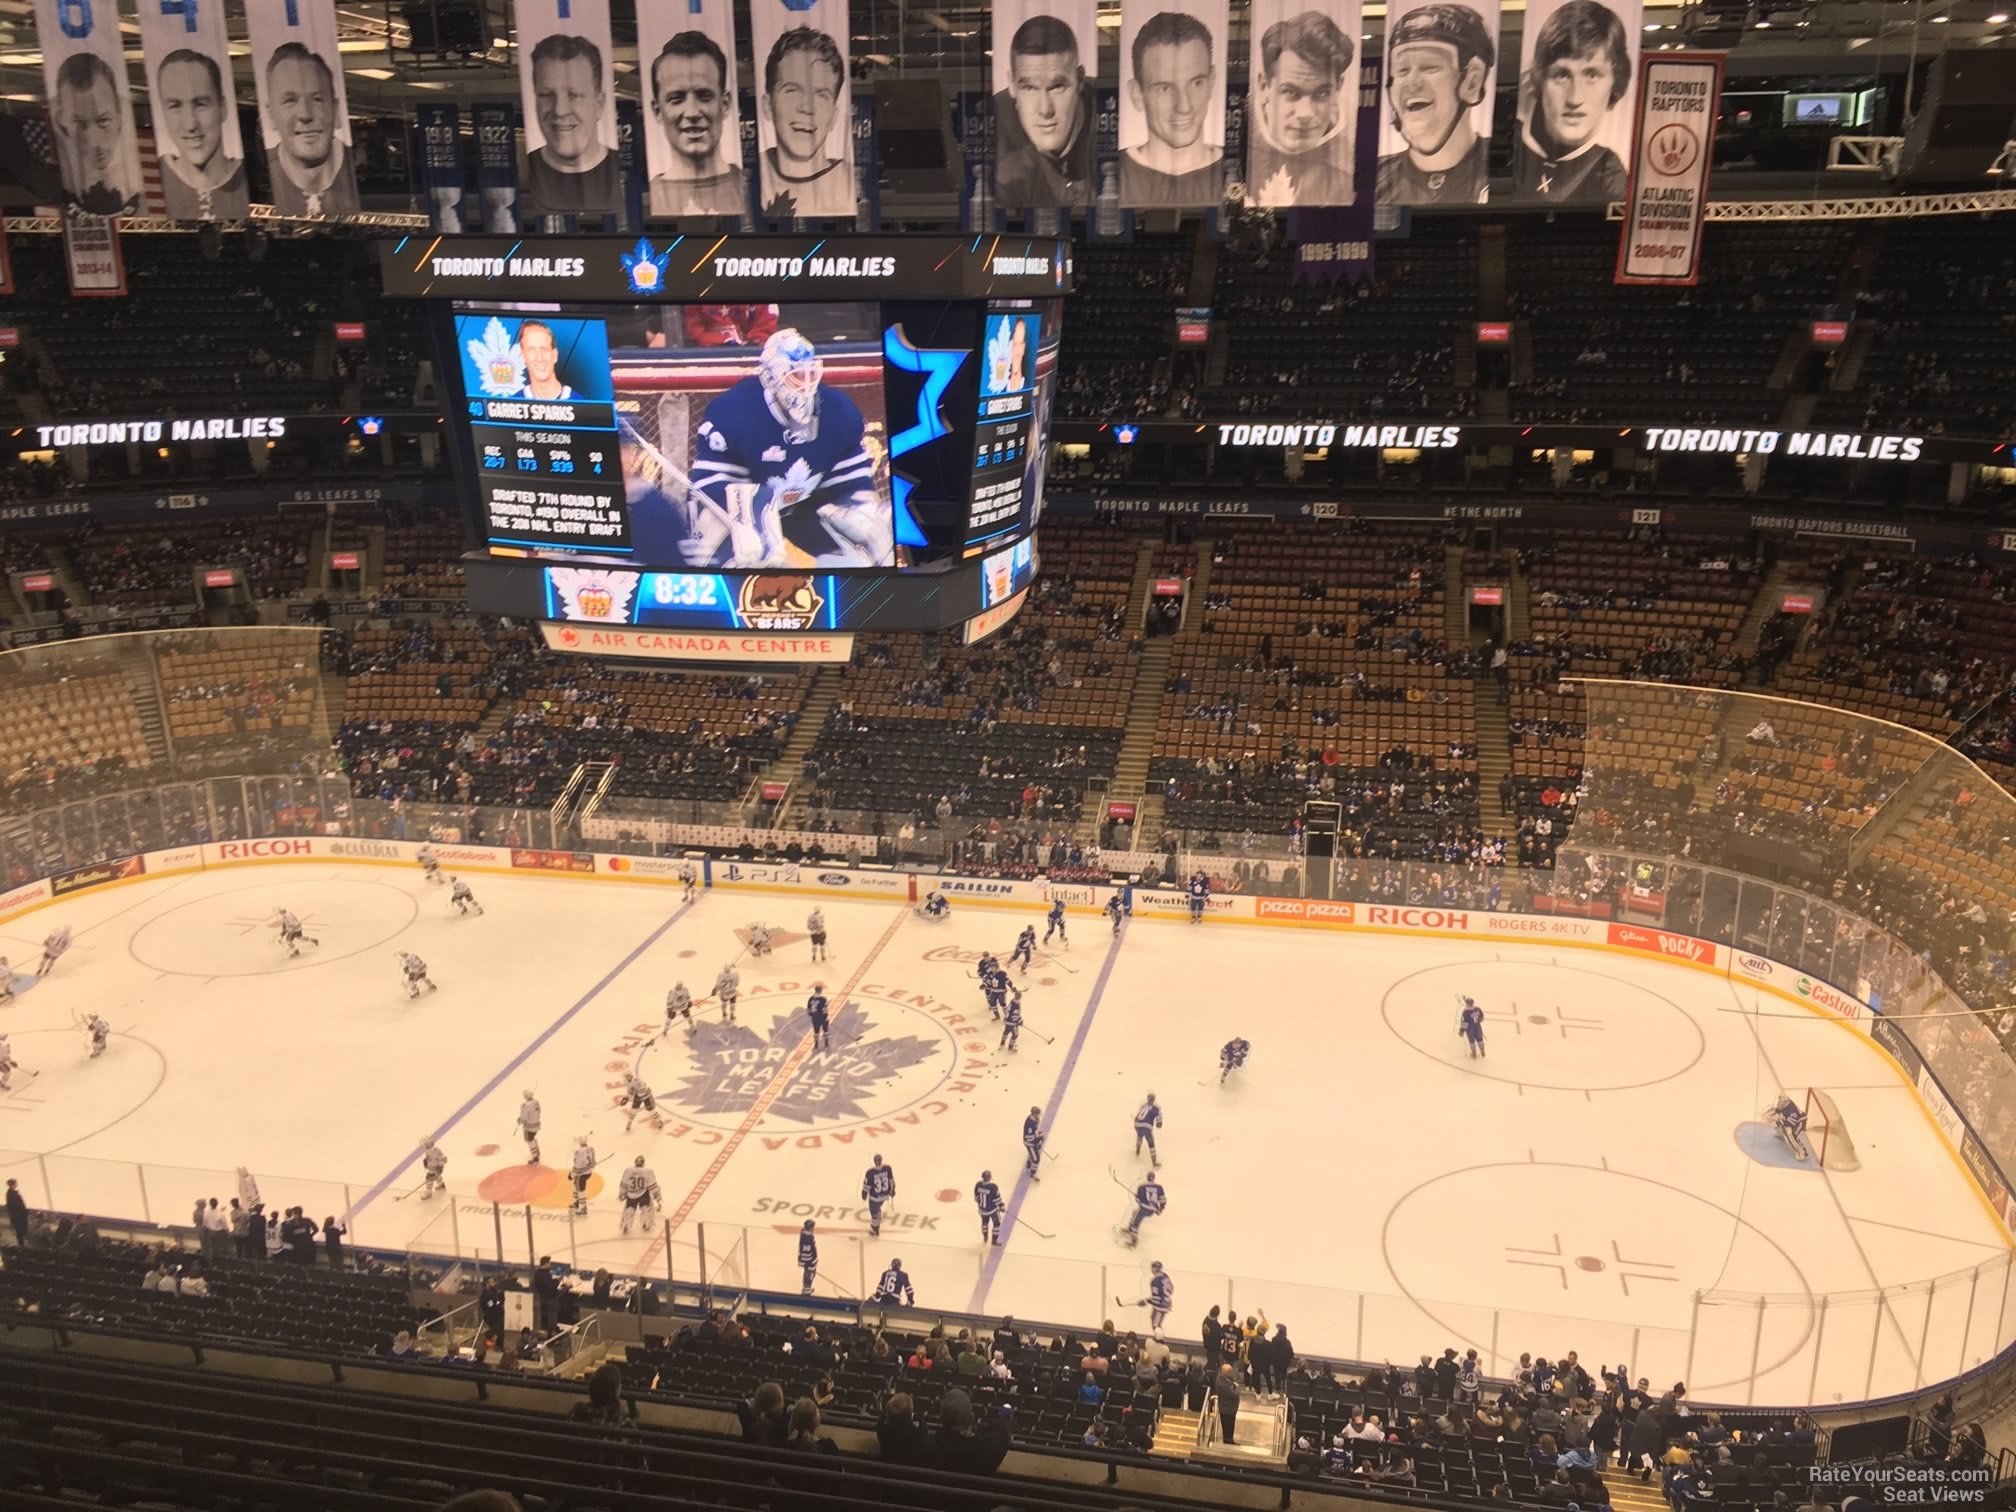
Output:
(745, 449)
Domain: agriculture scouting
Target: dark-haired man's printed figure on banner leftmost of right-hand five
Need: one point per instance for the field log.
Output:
(1049, 106)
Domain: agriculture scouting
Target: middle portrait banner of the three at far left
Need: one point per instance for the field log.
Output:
(197, 138)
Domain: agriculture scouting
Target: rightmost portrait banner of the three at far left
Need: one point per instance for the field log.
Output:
(305, 116)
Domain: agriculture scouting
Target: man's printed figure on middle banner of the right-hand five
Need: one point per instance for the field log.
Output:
(1301, 152)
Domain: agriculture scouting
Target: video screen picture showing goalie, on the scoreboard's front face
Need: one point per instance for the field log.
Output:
(755, 436)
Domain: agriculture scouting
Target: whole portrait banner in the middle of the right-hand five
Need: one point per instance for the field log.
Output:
(1303, 104)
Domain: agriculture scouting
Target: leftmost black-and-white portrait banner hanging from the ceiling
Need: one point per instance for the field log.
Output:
(84, 70)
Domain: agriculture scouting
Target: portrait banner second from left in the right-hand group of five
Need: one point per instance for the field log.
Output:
(1172, 106)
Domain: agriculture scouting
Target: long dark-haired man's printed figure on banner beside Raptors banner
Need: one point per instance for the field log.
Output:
(1582, 70)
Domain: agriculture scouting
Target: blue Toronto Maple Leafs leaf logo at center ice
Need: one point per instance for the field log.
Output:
(739, 1063)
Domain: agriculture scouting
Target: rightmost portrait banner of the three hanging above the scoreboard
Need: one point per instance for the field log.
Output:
(803, 118)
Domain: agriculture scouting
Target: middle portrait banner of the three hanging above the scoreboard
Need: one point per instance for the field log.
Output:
(686, 66)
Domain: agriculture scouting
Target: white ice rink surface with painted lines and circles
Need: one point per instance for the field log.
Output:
(1596, 1184)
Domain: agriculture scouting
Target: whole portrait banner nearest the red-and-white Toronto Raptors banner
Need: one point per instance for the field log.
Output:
(1578, 61)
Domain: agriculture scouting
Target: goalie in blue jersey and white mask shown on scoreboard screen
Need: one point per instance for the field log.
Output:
(783, 475)
